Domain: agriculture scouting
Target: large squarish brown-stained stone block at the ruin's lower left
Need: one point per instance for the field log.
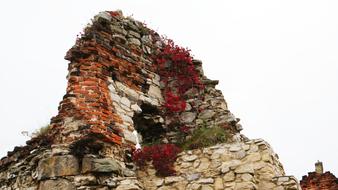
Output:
(58, 166)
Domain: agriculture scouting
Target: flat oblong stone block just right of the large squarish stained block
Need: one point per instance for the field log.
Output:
(100, 165)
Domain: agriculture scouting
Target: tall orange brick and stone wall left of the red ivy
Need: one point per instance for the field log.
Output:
(110, 74)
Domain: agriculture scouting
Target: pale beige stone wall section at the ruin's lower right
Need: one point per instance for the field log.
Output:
(242, 166)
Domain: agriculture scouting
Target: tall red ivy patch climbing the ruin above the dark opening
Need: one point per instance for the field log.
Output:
(176, 67)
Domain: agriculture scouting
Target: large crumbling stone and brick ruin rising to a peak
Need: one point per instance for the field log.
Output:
(114, 104)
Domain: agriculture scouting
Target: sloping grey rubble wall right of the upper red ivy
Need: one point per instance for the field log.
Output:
(207, 108)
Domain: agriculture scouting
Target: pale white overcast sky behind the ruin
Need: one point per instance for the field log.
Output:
(277, 62)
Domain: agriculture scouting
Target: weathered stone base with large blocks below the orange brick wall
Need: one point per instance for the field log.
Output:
(57, 168)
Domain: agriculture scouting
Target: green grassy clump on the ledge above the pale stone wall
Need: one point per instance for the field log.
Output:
(204, 137)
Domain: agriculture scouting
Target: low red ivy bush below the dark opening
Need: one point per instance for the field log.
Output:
(162, 156)
